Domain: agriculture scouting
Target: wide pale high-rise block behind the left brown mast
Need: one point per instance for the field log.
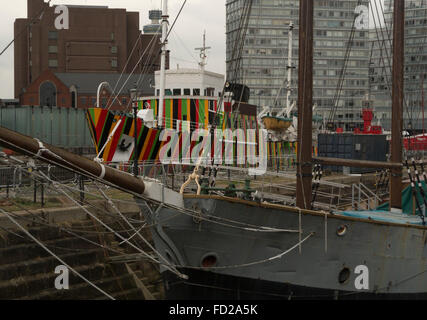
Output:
(265, 54)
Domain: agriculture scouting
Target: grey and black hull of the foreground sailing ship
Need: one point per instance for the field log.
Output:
(308, 258)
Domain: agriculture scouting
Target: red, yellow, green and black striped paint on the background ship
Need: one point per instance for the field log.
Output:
(103, 123)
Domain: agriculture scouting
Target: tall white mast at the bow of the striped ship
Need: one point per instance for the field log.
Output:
(165, 24)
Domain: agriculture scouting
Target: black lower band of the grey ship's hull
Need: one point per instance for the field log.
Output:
(211, 286)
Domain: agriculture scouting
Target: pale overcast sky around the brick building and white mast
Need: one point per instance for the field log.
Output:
(197, 16)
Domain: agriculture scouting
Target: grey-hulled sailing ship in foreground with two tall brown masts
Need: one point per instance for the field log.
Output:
(241, 244)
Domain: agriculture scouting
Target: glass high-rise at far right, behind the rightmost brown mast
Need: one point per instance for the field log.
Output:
(415, 63)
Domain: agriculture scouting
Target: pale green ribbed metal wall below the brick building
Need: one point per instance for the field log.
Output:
(62, 127)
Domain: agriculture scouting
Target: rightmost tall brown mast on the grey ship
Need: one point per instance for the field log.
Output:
(397, 103)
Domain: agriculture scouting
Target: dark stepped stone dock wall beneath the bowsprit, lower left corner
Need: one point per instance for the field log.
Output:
(27, 271)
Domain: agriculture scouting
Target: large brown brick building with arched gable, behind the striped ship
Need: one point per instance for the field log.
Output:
(99, 41)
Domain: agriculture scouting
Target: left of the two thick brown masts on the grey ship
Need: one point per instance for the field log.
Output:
(305, 106)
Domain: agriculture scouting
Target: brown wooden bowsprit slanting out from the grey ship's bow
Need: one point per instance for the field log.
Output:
(56, 156)
